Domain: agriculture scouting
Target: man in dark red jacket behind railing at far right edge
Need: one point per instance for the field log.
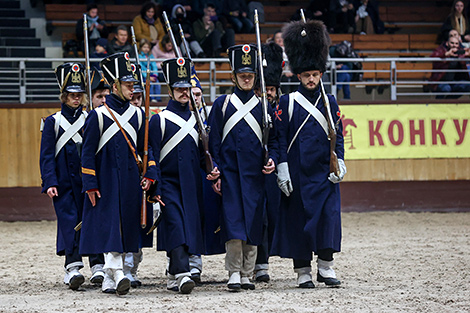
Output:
(447, 77)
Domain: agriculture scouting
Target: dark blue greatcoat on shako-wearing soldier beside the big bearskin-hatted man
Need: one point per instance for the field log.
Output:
(240, 159)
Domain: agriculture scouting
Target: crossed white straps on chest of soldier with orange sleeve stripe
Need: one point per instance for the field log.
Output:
(114, 128)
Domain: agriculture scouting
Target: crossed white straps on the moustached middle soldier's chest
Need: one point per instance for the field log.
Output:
(186, 128)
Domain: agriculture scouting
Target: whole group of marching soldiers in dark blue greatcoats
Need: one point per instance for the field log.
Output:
(259, 197)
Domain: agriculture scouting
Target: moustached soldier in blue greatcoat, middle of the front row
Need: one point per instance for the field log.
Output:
(175, 143)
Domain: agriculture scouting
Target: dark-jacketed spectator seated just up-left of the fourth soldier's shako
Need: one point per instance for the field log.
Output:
(210, 33)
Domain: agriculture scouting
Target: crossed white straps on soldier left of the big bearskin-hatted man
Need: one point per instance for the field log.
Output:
(243, 112)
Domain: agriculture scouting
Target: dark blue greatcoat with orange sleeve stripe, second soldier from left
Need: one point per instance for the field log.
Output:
(113, 225)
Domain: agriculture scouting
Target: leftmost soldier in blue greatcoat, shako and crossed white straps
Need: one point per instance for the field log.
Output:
(60, 171)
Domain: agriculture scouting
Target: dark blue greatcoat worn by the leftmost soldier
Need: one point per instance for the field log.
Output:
(63, 172)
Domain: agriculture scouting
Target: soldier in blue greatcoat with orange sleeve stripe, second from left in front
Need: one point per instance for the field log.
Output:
(111, 177)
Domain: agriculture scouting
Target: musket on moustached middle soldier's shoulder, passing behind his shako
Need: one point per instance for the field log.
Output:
(203, 135)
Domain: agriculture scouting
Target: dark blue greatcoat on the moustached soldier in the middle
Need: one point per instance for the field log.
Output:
(179, 184)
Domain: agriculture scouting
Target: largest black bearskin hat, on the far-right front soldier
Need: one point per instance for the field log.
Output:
(306, 45)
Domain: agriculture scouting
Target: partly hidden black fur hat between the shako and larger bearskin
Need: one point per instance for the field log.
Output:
(272, 53)
